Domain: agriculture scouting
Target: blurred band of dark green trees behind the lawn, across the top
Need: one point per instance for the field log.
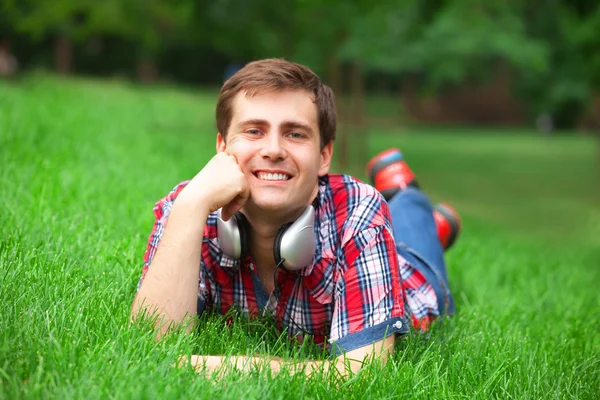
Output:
(444, 61)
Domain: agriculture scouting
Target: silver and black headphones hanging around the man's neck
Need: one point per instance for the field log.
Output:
(294, 246)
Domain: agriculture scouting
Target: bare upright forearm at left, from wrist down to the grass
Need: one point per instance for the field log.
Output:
(170, 289)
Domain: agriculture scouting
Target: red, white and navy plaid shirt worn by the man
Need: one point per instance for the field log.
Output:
(357, 291)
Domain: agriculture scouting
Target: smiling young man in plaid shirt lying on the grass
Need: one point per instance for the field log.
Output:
(337, 273)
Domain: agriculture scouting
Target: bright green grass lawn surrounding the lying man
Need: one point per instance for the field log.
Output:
(83, 163)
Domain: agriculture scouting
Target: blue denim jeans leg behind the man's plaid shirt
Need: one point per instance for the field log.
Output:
(417, 241)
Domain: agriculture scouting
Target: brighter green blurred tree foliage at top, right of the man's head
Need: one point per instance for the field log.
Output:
(435, 45)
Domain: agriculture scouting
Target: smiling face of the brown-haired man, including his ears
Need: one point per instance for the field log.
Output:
(275, 138)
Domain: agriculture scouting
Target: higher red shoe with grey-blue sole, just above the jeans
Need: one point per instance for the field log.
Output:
(389, 173)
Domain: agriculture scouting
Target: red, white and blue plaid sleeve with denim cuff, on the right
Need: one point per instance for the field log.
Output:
(369, 303)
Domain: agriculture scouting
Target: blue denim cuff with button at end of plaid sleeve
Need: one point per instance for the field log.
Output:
(396, 325)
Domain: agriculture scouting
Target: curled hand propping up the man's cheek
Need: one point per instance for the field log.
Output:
(220, 184)
